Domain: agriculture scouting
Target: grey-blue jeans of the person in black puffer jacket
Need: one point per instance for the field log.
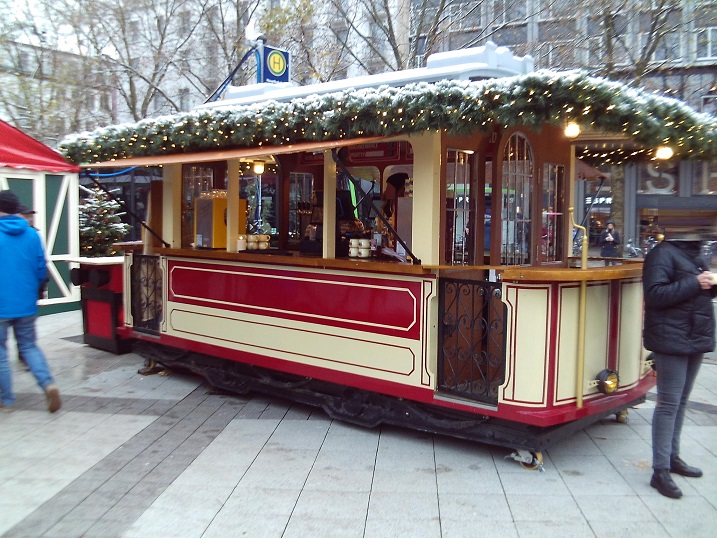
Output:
(675, 378)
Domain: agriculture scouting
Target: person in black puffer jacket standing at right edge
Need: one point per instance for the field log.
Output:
(679, 328)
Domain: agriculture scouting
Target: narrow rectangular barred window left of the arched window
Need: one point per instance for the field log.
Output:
(459, 211)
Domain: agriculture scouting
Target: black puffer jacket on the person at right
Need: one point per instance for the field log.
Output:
(679, 316)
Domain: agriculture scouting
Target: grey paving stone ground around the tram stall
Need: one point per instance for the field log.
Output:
(166, 455)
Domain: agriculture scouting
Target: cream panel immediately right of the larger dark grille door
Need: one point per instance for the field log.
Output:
(529, 311)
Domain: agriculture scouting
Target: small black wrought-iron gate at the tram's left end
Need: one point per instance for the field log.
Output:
(146, 293)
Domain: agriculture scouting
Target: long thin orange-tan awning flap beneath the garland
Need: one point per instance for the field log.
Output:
(238, 153)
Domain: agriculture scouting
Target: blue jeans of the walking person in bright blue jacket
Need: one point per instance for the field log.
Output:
(24, 329)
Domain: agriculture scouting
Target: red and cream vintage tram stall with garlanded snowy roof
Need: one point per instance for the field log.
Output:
(394, 251)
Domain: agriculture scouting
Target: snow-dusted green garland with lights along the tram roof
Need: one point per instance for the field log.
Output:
(454, 106)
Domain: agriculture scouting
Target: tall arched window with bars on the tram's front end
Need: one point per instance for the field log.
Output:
(515, 201)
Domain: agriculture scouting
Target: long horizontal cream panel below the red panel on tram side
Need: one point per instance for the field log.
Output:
(393, 359)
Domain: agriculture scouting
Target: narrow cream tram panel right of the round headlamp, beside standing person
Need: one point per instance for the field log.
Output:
(630, 350)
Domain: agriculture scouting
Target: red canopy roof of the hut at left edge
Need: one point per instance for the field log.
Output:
(18, 150)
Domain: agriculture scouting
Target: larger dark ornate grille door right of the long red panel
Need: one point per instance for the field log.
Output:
(472, 339)
